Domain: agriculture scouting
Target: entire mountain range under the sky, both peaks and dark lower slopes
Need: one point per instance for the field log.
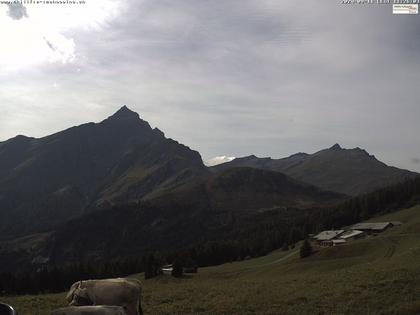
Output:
(119, 187)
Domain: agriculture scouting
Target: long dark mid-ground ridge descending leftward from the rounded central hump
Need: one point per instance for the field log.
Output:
(205, 210)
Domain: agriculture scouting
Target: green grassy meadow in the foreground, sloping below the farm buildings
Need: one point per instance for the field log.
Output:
(376, 275)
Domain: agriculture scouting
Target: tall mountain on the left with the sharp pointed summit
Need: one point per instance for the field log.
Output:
(47, 181)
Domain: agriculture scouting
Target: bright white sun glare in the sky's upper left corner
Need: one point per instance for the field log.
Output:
(44, 35)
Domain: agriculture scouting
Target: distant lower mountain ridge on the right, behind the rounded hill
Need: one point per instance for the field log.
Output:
(347, 171)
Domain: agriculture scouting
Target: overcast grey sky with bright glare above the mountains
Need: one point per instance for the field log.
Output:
(227, 78)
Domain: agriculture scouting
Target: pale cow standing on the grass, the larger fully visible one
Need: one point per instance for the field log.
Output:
(122, 292)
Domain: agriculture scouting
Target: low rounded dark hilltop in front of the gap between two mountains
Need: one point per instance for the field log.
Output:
(244, 189)
